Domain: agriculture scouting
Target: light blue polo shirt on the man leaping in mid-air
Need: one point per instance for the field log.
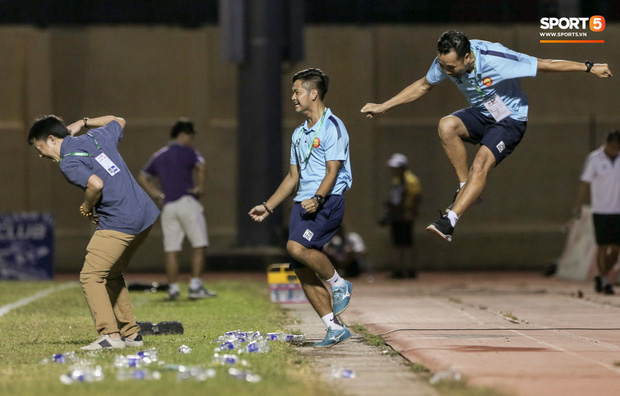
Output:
(497, 70)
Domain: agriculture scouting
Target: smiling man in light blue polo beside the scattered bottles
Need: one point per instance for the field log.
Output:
(321, 166)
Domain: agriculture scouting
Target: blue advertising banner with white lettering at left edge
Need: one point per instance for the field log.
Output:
(26, 246)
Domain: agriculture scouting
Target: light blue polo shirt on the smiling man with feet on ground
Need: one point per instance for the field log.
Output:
(330, 144)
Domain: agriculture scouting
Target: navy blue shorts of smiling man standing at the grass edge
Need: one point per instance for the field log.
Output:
(316, 229)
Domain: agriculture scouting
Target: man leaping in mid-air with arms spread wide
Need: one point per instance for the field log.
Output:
(488, 74)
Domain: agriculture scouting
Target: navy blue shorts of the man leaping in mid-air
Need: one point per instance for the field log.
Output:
(499, 137)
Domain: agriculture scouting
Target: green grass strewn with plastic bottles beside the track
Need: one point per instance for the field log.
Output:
(61, 322)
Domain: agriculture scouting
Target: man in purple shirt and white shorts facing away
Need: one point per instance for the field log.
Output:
(182, 214)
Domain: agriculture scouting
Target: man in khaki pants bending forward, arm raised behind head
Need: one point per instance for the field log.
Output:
(113, 200)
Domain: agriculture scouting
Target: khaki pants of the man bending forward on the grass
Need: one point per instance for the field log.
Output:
(107, 256)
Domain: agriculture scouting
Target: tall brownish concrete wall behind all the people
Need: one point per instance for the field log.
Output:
(151, 76)
